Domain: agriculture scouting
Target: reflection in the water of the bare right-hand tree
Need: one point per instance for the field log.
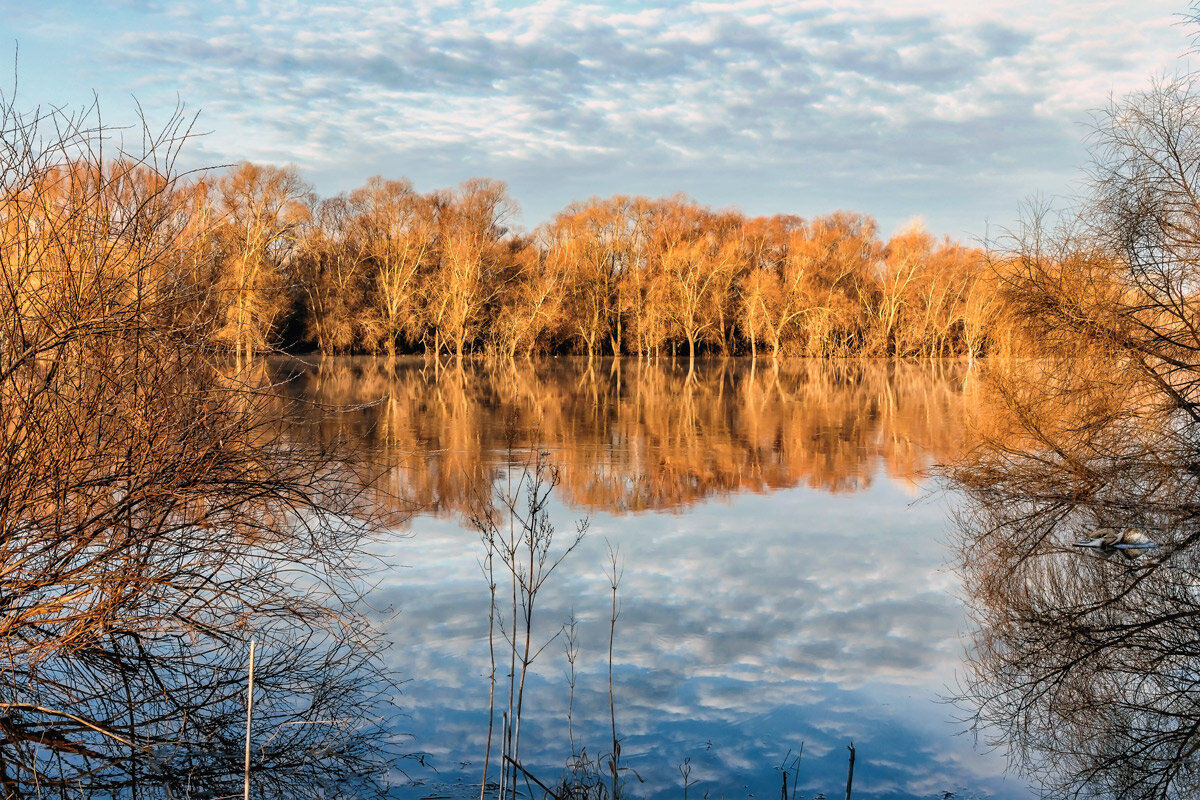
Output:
(1087, 669)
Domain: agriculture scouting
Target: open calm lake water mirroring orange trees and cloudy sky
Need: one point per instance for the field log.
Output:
(787, 570)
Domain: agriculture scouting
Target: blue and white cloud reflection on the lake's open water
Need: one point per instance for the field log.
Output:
(746, 628)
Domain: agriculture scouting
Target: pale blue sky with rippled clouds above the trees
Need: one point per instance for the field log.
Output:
(955, 112)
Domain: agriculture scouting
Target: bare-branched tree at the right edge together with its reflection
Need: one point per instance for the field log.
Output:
(1089, 669)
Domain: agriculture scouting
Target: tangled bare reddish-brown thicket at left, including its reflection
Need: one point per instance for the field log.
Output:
(154, 518)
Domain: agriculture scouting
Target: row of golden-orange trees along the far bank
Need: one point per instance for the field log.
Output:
(386, 269)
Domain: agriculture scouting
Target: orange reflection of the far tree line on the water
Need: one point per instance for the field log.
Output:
(637, 436)
